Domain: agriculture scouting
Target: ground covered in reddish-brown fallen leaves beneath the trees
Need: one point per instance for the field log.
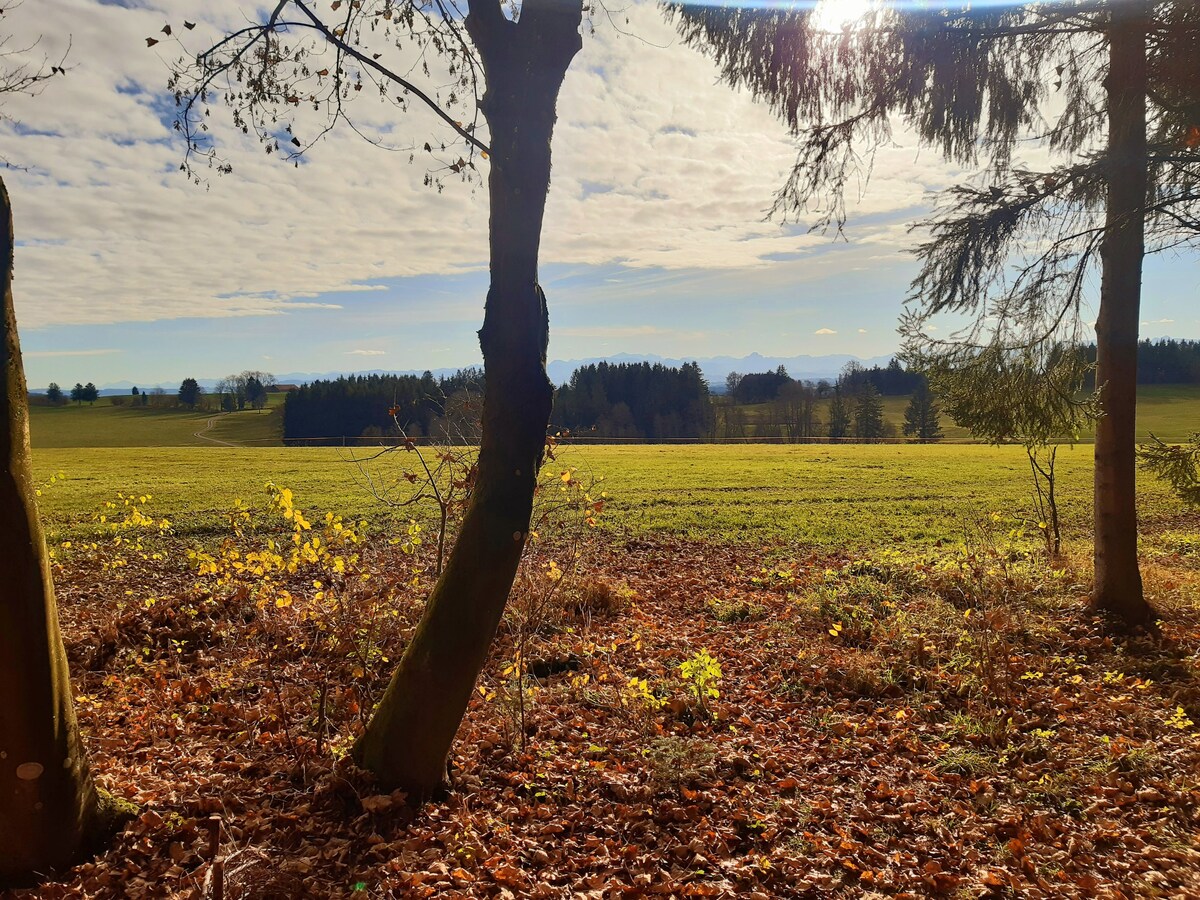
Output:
(945, 724)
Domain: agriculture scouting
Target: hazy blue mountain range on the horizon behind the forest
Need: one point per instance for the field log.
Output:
(716, 369)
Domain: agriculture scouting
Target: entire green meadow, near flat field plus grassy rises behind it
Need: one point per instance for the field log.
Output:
(197, 465)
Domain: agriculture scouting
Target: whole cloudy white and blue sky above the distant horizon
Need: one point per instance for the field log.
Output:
(656, 239)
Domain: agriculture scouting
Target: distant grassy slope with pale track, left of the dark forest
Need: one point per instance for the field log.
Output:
(107, 425)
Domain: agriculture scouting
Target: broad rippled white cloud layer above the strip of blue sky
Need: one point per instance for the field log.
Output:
(656, 165)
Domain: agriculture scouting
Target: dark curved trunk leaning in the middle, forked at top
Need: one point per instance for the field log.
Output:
(410, 736)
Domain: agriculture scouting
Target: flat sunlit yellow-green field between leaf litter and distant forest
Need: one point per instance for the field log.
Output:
(813, 495)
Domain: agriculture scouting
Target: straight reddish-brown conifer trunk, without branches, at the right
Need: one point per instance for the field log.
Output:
(1118, 592)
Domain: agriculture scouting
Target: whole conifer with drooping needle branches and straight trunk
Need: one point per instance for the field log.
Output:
(1111, 89)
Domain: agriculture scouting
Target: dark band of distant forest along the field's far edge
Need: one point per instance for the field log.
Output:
(645, 401)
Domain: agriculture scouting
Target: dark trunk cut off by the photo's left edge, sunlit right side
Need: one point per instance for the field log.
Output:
(49, 806)
